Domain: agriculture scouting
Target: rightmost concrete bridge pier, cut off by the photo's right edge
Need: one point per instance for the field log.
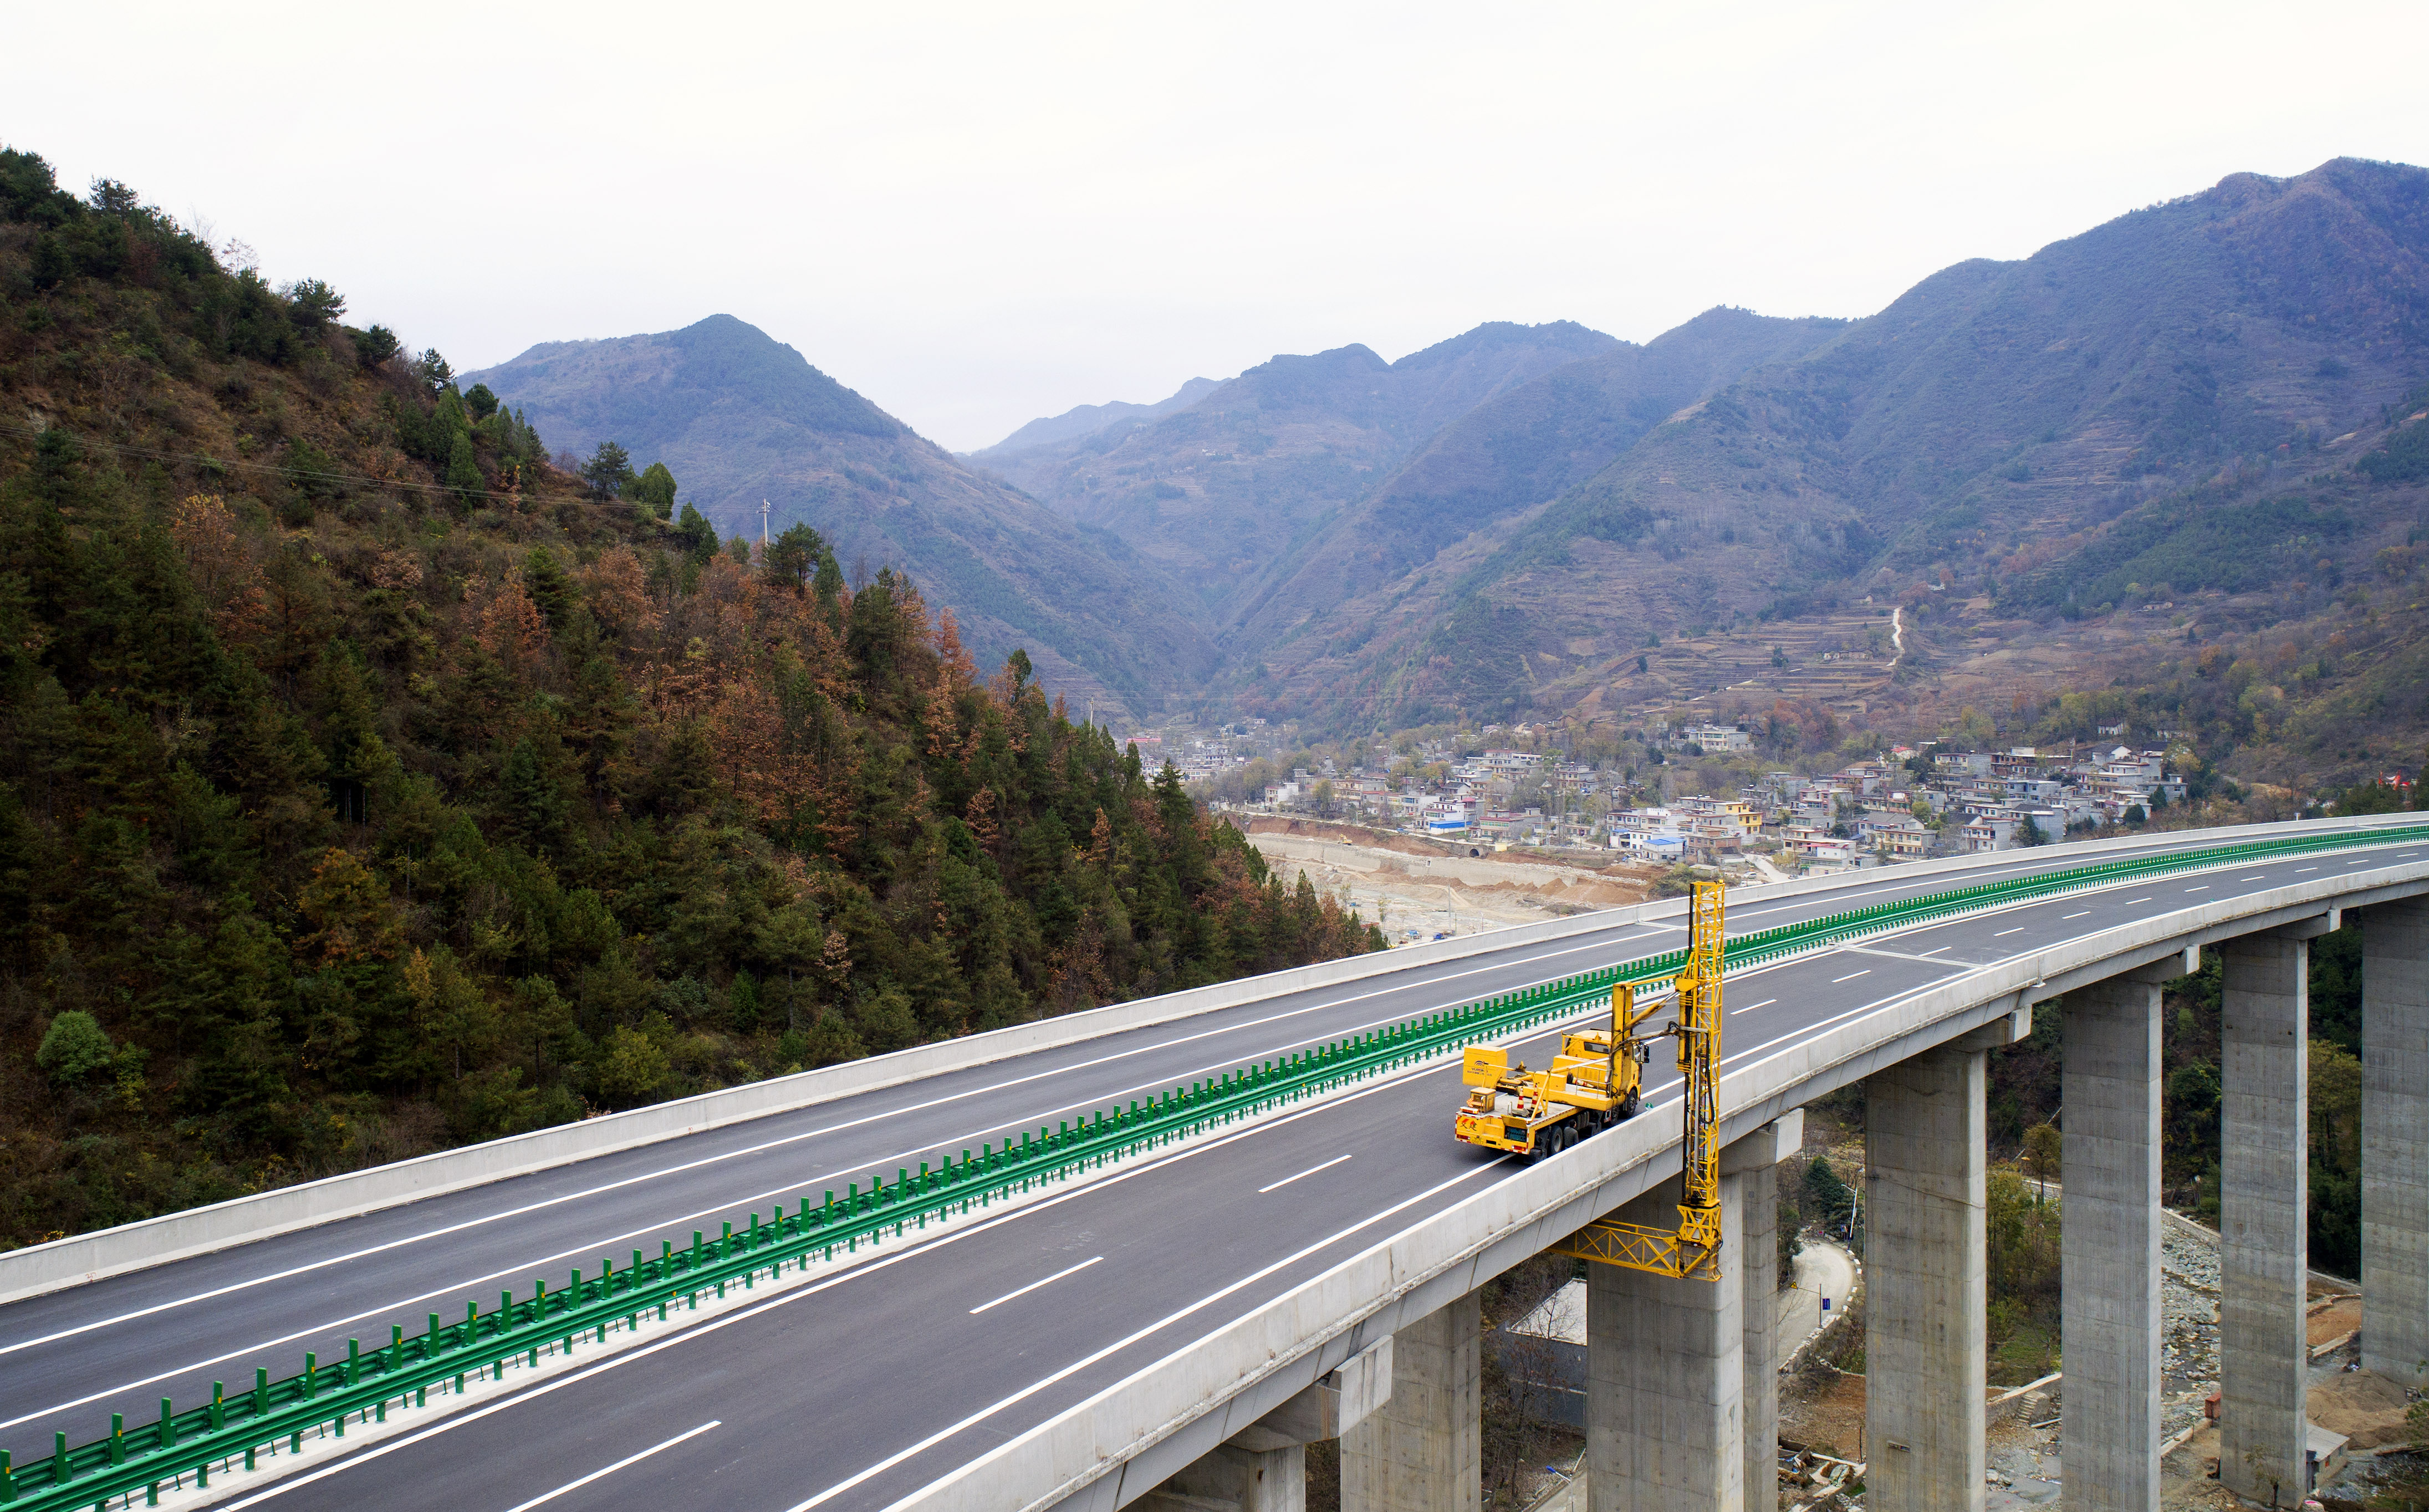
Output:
(2396, 1142)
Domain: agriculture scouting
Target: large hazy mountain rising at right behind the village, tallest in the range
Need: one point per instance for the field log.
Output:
(1998, 416)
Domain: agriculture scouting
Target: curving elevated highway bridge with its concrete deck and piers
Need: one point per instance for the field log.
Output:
(1272, 1237)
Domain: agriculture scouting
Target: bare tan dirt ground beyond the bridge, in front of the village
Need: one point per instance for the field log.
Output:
(1422, 887)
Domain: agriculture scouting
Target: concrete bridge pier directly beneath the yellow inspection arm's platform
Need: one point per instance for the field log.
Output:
(1665, 1375)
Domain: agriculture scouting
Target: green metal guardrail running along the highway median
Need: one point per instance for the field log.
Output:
(446, 1358)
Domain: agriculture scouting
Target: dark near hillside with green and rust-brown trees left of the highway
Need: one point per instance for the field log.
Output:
(368, 785)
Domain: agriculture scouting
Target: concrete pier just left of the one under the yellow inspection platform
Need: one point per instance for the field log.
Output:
(1425, 1448)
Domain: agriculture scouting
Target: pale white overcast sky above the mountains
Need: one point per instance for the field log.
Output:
(995, 212)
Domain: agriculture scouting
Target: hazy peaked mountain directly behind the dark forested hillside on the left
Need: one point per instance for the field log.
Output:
(742, 419)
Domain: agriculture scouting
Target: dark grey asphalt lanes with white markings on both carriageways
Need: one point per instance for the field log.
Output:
(883, 1377)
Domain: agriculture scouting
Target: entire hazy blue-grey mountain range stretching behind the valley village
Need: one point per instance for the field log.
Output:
(1502, 521)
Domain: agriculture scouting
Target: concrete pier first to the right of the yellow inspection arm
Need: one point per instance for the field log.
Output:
(1925, 1273)
